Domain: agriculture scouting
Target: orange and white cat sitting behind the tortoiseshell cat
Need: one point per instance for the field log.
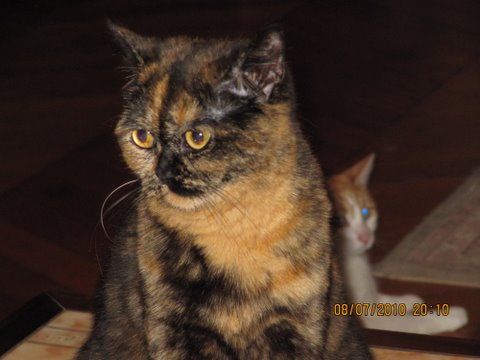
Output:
(358, 217)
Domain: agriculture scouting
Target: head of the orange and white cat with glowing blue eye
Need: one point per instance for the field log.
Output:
(355, 207)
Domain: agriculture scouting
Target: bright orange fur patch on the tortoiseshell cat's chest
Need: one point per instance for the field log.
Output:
(244, 239)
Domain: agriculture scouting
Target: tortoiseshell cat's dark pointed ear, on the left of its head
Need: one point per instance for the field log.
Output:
(136, 49)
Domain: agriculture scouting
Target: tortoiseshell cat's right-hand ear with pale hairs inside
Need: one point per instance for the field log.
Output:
(261, 66)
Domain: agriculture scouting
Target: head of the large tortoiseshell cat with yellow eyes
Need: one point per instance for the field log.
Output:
(203, 114)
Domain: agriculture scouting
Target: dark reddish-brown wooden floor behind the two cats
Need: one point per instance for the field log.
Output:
(401, 78)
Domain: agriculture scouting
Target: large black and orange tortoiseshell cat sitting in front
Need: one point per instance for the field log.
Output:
(228, 253)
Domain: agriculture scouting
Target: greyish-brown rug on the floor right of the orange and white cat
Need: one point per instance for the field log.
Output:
(445, 247)
